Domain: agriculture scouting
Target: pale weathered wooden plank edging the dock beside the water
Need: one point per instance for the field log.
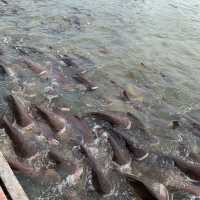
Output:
(10, 181)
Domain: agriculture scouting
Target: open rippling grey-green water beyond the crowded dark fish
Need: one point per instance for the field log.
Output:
(148, 47)
